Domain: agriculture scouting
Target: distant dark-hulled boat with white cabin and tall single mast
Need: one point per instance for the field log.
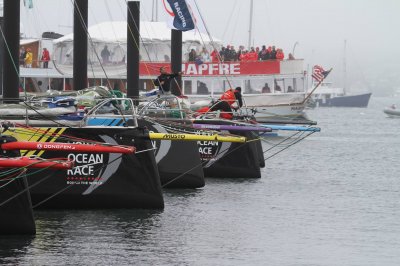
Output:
(329, 96)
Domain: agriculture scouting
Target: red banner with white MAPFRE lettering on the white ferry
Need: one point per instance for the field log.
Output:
(215, 69)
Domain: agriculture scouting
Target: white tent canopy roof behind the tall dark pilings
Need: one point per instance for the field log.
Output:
(116, 31)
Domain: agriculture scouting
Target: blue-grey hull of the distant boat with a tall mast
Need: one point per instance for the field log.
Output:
(360, 100)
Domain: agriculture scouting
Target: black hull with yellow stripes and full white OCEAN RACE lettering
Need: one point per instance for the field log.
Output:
(97, 180)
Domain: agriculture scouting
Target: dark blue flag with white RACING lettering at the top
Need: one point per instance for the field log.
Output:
(183, 19)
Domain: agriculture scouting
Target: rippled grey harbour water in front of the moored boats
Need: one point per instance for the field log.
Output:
(332, 199)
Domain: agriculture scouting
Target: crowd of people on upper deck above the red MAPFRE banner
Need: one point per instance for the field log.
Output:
(229, 53)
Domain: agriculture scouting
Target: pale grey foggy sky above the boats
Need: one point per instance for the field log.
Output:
(320, 28)
